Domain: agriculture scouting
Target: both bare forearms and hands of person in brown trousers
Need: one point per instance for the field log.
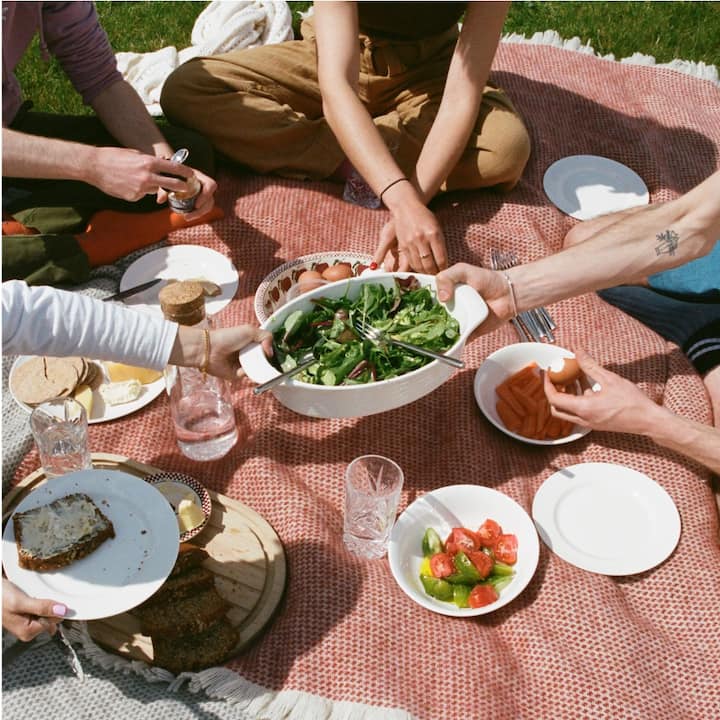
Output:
(413, 229)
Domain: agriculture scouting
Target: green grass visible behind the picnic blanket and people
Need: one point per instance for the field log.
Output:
(666, 30)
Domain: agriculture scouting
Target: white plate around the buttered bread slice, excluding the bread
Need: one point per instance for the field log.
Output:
(125, 570)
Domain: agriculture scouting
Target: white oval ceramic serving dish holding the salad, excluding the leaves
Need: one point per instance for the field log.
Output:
(467, 307)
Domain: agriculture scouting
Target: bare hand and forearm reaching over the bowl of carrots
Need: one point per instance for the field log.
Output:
(620, 406)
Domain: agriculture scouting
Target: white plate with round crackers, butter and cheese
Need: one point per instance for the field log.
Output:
(107, 390)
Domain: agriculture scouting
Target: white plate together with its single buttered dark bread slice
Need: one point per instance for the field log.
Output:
(45, 549)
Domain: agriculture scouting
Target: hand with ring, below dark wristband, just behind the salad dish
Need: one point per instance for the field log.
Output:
(412, 240)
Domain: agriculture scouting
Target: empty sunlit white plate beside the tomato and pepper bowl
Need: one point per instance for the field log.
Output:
(606, 518)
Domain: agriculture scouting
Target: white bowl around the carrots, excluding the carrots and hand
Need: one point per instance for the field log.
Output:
(503, 363)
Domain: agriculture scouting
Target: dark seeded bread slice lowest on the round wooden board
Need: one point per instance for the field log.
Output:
(211, 647)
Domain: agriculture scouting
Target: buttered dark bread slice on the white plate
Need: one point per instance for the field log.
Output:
(55, 535)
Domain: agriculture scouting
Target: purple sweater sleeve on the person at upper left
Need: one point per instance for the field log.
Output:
(74, 36)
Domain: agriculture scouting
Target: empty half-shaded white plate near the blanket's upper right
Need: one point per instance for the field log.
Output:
(586, 186)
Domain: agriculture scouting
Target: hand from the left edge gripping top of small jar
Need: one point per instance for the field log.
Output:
(130, 175)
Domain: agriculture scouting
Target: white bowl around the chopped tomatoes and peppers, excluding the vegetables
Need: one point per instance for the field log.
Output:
(460, 506)
